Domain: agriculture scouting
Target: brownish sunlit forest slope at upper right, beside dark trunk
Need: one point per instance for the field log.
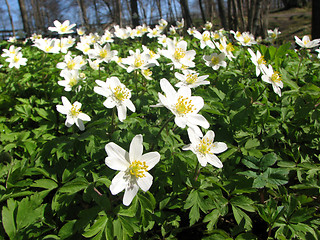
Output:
(291, 22)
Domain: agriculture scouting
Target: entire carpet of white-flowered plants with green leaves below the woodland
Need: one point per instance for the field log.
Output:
(153, 133)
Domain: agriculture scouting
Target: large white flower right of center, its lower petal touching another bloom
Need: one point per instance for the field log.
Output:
(184, 106)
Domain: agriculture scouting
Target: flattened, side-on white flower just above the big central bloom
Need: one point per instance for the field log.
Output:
(190, 79)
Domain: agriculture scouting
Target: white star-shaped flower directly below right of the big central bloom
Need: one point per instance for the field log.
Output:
(205, 148)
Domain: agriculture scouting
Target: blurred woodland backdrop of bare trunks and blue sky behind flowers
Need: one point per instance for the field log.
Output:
(293, 17)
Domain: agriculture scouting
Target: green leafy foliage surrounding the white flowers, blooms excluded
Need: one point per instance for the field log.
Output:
(54, 183)
